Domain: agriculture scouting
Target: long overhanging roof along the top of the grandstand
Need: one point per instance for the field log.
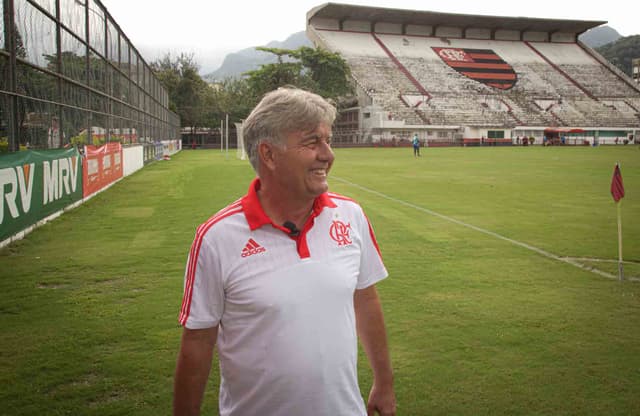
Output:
(342, 12)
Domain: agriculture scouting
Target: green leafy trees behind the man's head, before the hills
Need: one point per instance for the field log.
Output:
(202, 105)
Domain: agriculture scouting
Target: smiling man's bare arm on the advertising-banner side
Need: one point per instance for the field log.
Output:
(192, 370)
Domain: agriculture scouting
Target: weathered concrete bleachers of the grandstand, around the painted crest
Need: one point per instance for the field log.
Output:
(557, 83)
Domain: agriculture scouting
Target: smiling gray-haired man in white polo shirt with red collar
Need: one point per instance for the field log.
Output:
(282, 282)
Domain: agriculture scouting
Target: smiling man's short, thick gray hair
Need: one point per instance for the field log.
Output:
(281, 112)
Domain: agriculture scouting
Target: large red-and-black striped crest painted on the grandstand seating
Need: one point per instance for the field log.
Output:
(483, 65)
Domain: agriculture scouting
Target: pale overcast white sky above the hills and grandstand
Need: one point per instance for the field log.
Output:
(210, 29)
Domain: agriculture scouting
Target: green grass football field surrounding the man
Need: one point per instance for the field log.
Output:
(485, 315)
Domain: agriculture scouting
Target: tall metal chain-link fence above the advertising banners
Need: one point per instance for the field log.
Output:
(70, 76)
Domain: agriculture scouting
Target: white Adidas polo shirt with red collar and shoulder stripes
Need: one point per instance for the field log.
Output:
(287, 339)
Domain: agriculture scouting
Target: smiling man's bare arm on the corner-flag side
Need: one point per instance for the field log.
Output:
(372, 334)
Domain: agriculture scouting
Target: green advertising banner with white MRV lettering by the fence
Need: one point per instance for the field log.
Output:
(36, 184)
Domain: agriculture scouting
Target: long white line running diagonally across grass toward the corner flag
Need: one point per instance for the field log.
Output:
(568, 260)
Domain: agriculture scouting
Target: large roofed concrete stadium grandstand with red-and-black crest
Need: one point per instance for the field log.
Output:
(469, 79)
